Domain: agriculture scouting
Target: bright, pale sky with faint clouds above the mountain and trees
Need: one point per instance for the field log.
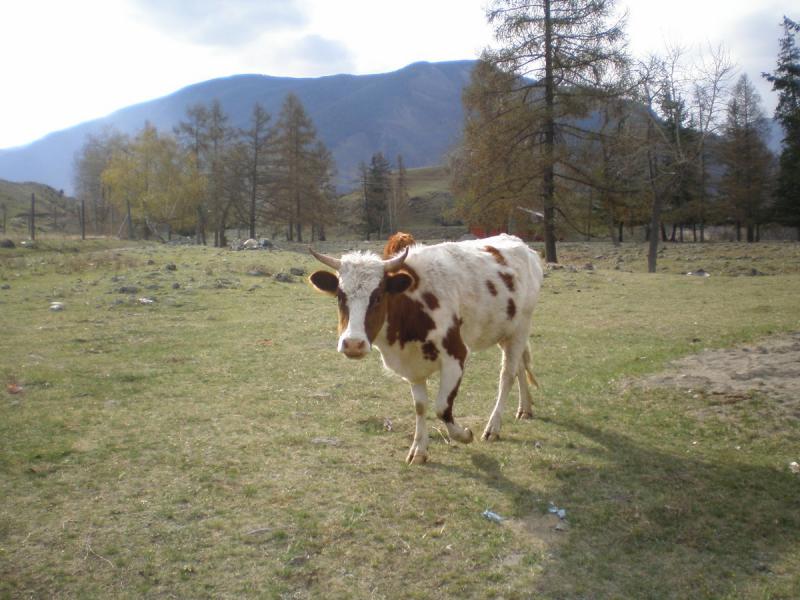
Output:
(66, 62)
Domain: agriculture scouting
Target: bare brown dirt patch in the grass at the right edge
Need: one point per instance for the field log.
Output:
(769, 369)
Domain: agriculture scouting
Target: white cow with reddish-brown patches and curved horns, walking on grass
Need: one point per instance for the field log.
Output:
(426, 307)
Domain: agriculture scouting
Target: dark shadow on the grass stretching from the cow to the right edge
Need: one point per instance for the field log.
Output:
(723, 525)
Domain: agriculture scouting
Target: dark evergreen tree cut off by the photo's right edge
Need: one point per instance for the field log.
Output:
(786, 81)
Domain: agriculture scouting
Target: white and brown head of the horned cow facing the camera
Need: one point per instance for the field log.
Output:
(362, 287)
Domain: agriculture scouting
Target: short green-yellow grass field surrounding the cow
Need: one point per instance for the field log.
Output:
(212, 444)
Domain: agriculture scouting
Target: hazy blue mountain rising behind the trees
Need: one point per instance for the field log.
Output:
(415, 111)
